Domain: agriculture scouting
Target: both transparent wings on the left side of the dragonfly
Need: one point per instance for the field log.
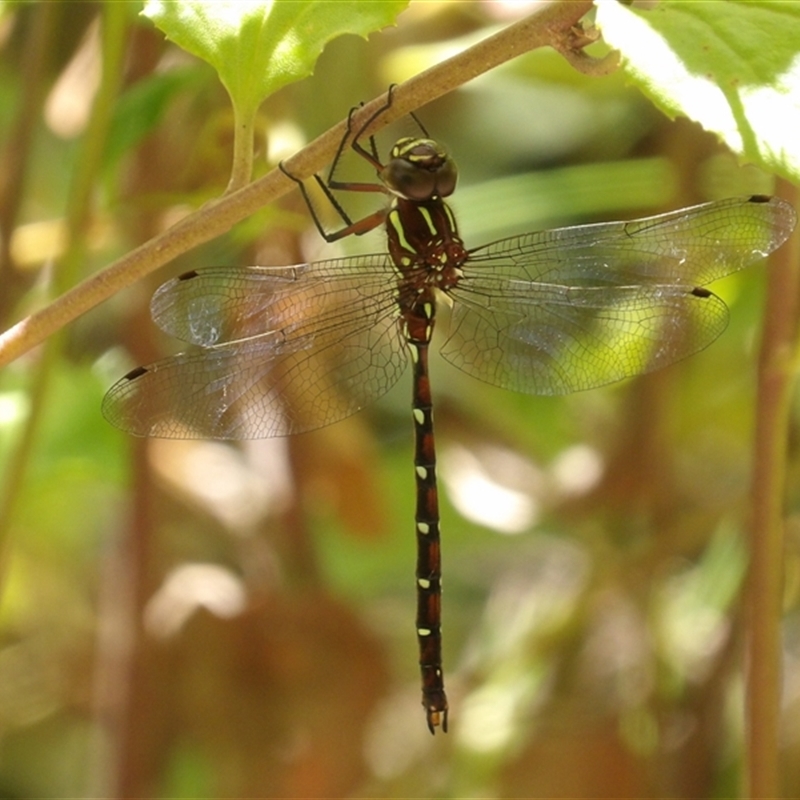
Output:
(282, 351)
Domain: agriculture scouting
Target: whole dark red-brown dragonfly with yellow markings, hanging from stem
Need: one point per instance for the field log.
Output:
(283, 350)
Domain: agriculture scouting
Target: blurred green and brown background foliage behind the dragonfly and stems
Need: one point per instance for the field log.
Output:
(198, 619)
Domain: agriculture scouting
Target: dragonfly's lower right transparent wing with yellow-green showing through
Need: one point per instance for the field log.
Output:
(551, 339)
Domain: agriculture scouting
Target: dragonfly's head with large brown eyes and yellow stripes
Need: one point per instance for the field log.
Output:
(419, 170)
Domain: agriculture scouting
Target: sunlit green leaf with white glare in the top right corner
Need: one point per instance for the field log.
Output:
(733, 67)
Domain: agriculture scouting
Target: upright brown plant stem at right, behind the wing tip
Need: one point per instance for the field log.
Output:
(765, 580)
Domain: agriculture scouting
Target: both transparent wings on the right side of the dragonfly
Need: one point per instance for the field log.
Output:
(573, 308)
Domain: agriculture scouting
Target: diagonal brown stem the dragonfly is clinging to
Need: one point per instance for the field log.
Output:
(550, 25)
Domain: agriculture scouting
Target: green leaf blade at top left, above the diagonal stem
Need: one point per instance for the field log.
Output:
(258, 46)
